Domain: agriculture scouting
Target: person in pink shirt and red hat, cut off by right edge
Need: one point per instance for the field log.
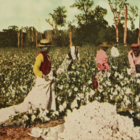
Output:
(134, 59)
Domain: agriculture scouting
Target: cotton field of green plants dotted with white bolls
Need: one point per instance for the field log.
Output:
(73, 88)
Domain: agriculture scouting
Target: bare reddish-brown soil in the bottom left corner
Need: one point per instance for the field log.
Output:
(21, 133)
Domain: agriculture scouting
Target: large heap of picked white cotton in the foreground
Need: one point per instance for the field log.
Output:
(98, 121)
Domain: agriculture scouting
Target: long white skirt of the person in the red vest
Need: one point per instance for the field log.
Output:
(42, 95)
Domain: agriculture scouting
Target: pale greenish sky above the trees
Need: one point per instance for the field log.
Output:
(24, 13)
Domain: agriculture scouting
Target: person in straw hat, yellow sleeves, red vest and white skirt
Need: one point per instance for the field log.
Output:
(42, 93)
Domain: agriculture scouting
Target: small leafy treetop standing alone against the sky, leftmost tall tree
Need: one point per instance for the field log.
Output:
(58, 18)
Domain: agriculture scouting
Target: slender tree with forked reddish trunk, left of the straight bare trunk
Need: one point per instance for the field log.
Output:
(116, 8)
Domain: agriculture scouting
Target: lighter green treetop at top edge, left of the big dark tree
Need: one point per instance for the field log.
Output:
(84, 6)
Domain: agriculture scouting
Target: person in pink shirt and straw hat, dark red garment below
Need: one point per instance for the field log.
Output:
(102, 61)
